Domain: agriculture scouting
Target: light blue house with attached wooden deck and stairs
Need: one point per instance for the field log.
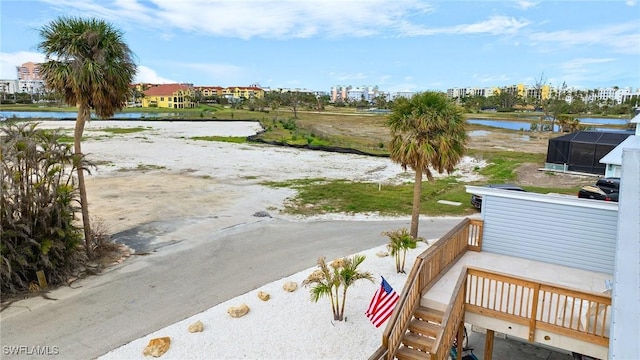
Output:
(549, 269)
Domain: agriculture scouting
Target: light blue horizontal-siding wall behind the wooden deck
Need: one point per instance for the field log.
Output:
(545, 228)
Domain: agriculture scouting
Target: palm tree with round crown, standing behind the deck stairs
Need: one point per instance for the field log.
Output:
(427, 131)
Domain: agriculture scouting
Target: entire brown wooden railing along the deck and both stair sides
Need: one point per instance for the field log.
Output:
(537, 305)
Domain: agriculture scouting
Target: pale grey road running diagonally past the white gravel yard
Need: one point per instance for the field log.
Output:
(196, 265)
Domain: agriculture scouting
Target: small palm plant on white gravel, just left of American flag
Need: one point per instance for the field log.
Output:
(330, 279)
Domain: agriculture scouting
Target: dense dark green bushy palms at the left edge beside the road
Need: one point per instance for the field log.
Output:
(37, 208)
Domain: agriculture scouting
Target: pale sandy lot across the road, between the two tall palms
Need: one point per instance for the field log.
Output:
(161, 173)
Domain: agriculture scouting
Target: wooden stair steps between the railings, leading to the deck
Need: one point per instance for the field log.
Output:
(417, 342)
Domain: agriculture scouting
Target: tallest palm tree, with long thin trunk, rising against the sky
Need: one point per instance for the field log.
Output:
(89, 63)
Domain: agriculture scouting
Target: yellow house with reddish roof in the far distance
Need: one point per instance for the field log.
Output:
(170, 96)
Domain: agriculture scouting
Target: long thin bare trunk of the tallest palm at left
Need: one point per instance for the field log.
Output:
(83, 115)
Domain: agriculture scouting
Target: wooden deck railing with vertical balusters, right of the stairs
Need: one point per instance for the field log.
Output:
(578, 314)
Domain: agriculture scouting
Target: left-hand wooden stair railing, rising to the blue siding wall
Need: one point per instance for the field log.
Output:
(427, 269)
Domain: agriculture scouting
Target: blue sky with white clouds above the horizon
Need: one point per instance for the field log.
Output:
(398, 45)
